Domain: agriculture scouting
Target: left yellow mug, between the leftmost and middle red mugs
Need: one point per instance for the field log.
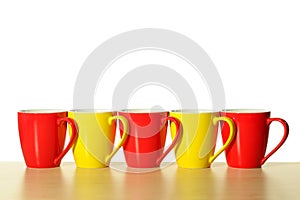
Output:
(94, 147)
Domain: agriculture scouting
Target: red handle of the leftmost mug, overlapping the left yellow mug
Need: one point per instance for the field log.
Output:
(73, 137)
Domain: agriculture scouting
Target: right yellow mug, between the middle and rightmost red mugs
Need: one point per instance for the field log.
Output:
(196, 147)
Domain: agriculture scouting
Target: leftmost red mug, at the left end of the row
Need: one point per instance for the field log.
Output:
(42, 136)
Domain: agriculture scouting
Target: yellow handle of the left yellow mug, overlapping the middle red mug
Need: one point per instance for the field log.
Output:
(123, 139)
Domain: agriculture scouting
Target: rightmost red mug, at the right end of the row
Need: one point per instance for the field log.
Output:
(250, 143)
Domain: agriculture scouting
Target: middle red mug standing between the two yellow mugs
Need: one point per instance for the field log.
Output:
(146, 138)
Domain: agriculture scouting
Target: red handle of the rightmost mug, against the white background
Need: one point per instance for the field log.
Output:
(285, 135)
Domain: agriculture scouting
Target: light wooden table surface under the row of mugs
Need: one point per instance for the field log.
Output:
(273, 181)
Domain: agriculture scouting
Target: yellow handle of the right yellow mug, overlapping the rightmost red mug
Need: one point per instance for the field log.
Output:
(229, 139)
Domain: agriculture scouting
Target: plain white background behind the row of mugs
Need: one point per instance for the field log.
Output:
(255, 46)
